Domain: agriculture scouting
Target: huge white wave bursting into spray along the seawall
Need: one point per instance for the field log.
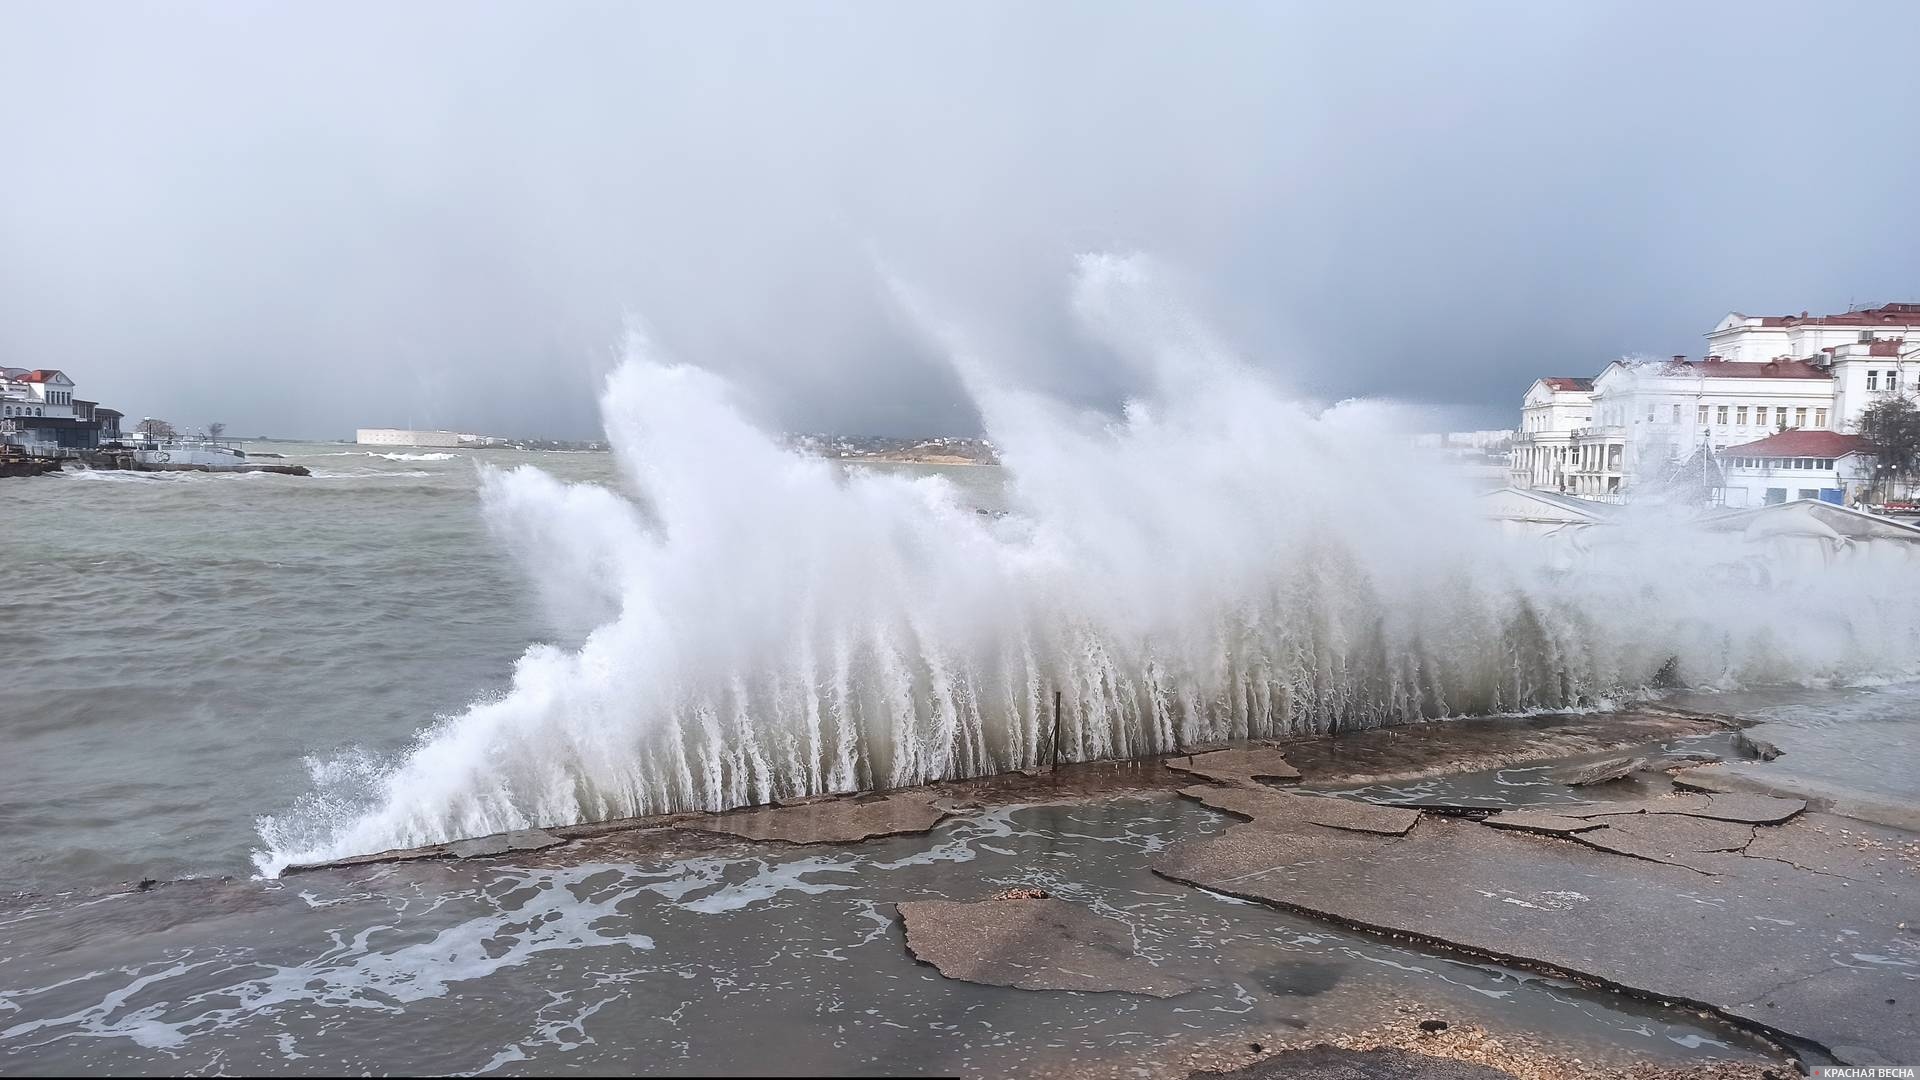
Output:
(1218, 562)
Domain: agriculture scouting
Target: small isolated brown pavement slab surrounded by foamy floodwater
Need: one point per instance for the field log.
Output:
(1036, 945)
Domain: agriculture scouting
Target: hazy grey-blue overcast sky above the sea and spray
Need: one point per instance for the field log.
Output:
(310, 218)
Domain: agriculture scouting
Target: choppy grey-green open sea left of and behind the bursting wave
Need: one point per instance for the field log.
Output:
(178, 645)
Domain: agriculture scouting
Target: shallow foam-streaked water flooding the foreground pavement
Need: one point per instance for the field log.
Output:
(742, 958)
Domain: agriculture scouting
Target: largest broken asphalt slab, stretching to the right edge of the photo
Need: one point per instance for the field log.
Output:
(1754, 943)
